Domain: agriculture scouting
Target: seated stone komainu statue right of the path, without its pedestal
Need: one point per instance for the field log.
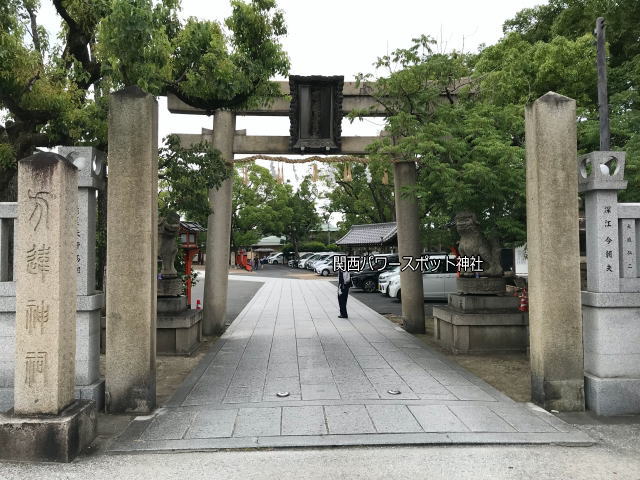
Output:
(473, 243)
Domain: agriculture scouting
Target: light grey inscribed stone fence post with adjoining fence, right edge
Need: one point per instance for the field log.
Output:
(611, 303)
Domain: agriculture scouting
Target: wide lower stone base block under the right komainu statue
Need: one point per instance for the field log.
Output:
(462, 333)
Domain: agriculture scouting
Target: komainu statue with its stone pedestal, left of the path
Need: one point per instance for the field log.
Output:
(179, 329)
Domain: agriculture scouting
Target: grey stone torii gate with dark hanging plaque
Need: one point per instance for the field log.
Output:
(230, 142)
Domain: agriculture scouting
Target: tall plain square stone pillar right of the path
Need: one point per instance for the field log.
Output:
(555, 321)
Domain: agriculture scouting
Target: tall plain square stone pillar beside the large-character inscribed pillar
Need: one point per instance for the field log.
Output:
(132, 232)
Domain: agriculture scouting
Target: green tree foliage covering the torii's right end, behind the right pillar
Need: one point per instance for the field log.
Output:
(461, 115)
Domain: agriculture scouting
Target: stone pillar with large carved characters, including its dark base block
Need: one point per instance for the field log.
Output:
(46, 317)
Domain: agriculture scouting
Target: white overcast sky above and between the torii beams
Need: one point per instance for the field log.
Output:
(344, 37)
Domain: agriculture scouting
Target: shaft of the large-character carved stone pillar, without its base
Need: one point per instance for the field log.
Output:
(45, 285)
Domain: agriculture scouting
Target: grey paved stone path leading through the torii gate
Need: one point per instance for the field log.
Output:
(338, 374)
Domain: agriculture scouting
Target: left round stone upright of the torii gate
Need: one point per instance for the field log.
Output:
(219, 231)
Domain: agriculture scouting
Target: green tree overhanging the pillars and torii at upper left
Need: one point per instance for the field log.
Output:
(55, 92)
